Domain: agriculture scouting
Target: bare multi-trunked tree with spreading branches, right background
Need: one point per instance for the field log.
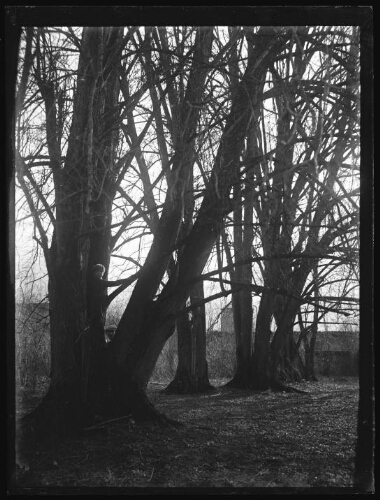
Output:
(305, 132)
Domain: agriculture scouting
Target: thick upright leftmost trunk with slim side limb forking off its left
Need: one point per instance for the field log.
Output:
(84, 193)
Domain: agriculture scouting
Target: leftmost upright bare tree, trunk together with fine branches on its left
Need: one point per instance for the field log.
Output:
(74, 230)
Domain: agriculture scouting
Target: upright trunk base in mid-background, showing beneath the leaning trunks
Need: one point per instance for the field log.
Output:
(192, 371)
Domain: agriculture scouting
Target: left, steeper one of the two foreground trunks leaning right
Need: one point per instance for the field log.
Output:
(143, 328)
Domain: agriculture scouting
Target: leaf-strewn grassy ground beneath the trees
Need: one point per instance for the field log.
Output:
(230, 439)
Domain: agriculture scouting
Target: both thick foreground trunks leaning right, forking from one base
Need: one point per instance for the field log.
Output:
(148, 321)
